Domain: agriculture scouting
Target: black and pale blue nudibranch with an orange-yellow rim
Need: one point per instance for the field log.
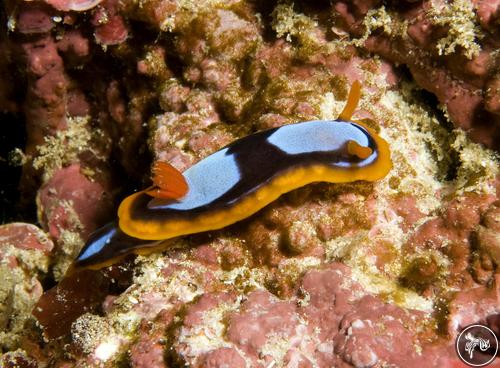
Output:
(238, 180)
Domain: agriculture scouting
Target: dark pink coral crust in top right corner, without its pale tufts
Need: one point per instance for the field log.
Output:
(459, 83)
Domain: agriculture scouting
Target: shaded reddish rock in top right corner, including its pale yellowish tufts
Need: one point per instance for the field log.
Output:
(450, 52)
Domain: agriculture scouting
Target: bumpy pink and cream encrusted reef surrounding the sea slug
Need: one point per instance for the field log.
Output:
(352, 275)
